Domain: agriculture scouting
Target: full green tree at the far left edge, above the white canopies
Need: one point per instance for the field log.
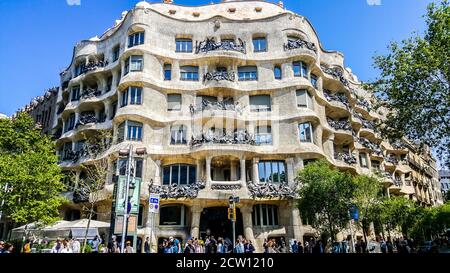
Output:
(29, 172)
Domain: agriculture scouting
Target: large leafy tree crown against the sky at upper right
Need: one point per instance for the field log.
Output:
(414, 84)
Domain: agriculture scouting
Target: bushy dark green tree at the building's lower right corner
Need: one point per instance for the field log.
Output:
(326, 194)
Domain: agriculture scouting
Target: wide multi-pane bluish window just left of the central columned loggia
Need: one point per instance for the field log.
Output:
(180, 174)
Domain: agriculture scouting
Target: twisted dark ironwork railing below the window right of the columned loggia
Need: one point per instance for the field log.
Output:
(272, 190)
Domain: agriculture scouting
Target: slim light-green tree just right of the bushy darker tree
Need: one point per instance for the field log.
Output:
(367, 197)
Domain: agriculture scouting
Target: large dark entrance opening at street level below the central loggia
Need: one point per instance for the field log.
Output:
(214, 221)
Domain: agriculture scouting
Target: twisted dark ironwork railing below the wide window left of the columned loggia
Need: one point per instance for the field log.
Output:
(176, 191)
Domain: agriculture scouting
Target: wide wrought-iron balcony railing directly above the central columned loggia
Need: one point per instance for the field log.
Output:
(239, 137)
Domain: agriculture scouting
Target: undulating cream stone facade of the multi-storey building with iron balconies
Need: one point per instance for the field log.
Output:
(177, 81)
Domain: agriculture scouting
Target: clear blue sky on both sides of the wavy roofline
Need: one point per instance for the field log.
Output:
(37, 36)
